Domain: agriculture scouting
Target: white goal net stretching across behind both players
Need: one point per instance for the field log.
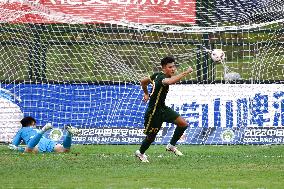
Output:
(79, 62)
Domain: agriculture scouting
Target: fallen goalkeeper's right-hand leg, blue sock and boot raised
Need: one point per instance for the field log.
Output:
(67, 141)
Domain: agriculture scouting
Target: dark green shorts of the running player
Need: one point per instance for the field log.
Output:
(154, 119)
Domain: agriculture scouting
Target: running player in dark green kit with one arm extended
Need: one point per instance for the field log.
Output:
(157, 112)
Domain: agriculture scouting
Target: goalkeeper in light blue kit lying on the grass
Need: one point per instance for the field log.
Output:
(35, 140)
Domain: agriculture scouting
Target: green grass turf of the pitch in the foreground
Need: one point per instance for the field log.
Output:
(114, 166)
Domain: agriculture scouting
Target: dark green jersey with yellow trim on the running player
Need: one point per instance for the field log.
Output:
(159, 91)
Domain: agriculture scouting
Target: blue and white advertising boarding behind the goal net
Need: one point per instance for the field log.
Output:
(113, 114)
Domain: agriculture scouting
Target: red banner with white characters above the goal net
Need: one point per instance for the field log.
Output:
(99, 11)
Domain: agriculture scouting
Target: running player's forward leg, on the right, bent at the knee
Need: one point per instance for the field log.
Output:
(181, 126)
